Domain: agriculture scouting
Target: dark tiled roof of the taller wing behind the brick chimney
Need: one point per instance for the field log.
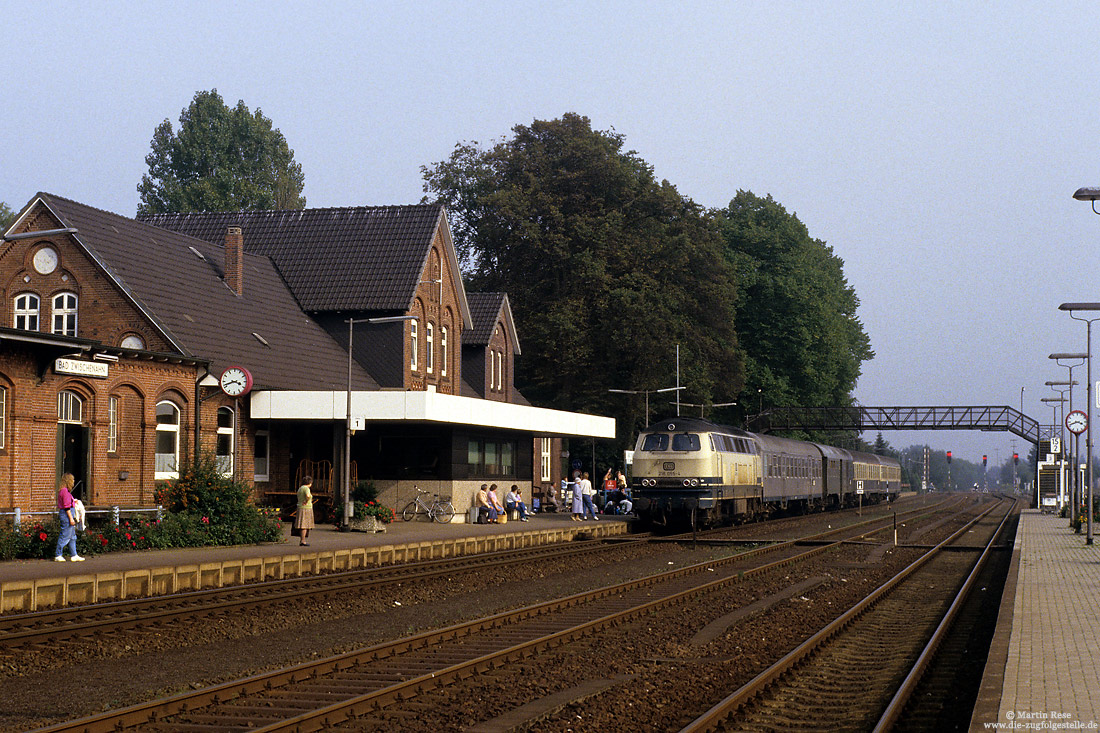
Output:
(368, 258)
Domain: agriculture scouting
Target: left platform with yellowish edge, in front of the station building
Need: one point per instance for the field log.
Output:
(35, 585)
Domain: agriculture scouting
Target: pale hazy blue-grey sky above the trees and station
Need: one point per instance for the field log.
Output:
(936, 147)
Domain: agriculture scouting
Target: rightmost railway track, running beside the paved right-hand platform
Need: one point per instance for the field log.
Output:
(861, 672)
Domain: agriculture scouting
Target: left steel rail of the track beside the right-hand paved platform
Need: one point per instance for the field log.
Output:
(721, 714)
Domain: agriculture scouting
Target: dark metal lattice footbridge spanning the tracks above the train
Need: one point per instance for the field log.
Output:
(861, 419)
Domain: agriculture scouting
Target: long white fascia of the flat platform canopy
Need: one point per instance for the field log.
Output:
(397, 406)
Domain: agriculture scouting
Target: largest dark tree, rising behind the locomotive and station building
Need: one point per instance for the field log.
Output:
(607, 269)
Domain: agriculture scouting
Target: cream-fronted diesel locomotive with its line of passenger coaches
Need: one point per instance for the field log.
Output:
(691, 471)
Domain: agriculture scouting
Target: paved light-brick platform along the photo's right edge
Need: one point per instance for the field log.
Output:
(1043, 671)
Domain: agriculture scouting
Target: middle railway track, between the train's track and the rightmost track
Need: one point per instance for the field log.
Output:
(324, 694)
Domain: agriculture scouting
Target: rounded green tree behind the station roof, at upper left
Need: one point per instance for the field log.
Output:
(222, 160)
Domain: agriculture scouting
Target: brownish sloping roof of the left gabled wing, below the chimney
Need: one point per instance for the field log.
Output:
(186, 298)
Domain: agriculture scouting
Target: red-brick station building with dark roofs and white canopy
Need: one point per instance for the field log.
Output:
(120, 336)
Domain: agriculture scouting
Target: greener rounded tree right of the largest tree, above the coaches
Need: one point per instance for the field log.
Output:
(797, 316)
